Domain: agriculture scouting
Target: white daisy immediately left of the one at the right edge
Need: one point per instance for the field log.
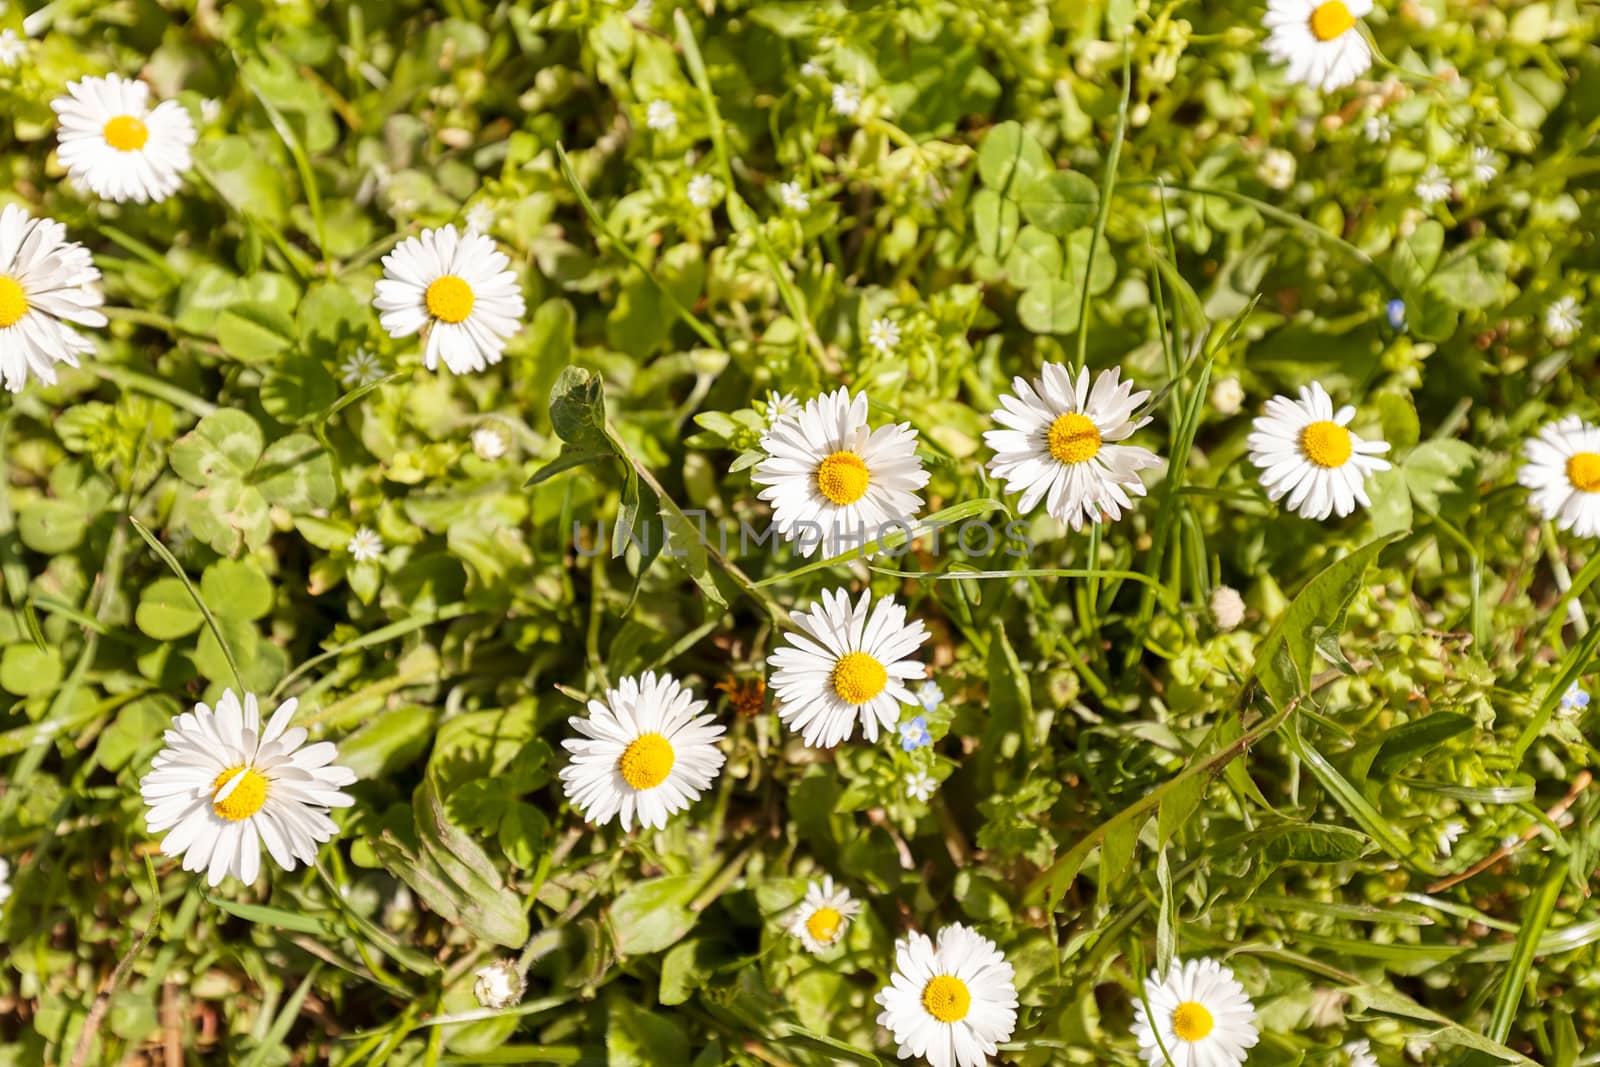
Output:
(1306, 454)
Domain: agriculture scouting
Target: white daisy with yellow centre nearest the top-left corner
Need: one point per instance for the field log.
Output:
(121, 148)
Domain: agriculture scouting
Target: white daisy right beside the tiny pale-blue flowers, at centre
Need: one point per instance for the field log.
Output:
(847, 663)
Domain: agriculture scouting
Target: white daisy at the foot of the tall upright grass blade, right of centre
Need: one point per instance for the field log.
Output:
(1060, 444)
